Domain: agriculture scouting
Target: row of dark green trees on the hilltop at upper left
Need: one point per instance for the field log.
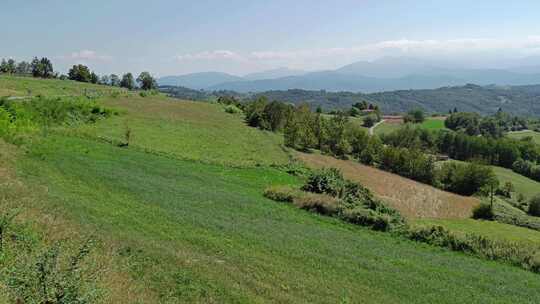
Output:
(43, 68)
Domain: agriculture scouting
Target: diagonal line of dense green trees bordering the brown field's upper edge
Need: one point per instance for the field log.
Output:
(341, 137)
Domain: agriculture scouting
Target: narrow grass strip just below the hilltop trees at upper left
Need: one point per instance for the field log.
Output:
(29, 86)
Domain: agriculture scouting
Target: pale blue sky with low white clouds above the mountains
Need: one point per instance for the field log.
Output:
(168, 37)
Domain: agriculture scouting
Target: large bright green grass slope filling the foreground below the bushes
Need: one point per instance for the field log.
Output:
(195, 232)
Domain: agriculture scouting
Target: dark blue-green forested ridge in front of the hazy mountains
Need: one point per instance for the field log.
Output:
(520, 100)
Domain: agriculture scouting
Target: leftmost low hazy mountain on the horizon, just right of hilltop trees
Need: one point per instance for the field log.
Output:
(198, 80)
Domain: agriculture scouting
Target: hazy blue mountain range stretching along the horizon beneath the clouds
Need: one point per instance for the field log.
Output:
(385, 74)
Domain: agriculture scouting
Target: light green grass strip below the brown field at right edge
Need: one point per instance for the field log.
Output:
(490, 229)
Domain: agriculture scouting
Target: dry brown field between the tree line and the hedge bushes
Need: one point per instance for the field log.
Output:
(412, 199)
